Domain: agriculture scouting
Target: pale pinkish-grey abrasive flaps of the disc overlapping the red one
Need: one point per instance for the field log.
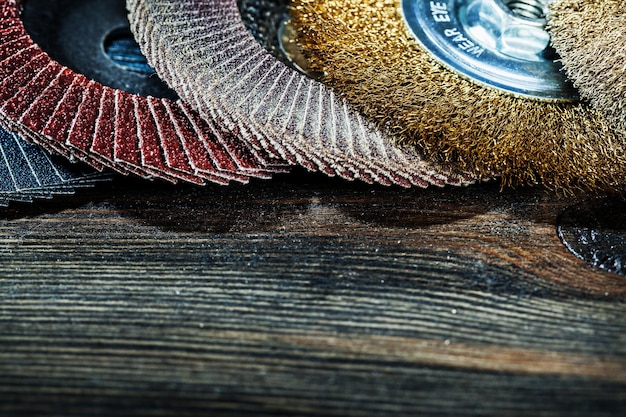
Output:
(204, 52)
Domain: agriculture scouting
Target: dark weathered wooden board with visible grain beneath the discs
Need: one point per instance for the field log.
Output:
(303, 296)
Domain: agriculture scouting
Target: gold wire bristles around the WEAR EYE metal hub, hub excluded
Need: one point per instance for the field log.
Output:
(369, 55)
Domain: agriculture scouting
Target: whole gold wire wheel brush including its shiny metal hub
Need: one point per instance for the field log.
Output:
(473, 82)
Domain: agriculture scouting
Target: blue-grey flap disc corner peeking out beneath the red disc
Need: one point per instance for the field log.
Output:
(27, 172)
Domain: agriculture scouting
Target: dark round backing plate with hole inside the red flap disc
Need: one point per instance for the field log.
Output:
(92, 37)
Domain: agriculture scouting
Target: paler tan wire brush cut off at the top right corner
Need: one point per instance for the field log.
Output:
(590, 37)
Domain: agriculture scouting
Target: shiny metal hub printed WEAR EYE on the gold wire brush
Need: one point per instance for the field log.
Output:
(501, 44)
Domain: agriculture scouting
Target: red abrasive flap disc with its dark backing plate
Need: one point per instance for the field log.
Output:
(66, 112)
